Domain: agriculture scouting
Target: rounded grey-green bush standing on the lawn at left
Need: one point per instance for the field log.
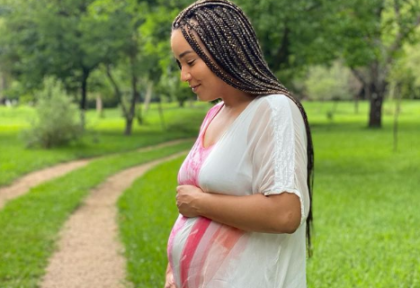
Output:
(56, 121)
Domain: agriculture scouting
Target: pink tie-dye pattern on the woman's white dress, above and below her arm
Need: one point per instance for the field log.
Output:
(205, 236)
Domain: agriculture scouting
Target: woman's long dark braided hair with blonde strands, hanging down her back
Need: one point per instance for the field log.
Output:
(237, 59)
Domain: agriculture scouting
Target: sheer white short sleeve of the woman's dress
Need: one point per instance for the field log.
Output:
(279, 158)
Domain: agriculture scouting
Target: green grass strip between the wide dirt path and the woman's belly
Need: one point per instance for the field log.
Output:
(146, 213)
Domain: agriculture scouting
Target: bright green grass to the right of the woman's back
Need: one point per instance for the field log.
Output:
(365, 204)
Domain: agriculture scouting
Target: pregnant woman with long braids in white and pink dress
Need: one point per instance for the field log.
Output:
(244, 193)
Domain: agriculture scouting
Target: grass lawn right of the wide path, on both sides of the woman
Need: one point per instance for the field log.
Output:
(365, 204)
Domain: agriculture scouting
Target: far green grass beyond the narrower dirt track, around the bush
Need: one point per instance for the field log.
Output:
(104, 136)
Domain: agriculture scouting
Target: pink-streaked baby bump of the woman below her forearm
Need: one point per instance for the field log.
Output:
(200, 250)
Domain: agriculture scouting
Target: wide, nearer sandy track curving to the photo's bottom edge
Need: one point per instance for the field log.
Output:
(89, 253)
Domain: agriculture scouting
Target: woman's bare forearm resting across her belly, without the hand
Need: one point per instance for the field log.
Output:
(258, 213)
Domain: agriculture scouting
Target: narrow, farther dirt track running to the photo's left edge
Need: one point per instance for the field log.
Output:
(24, 184)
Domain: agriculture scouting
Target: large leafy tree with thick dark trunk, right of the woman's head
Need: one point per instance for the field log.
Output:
(367, 34)
